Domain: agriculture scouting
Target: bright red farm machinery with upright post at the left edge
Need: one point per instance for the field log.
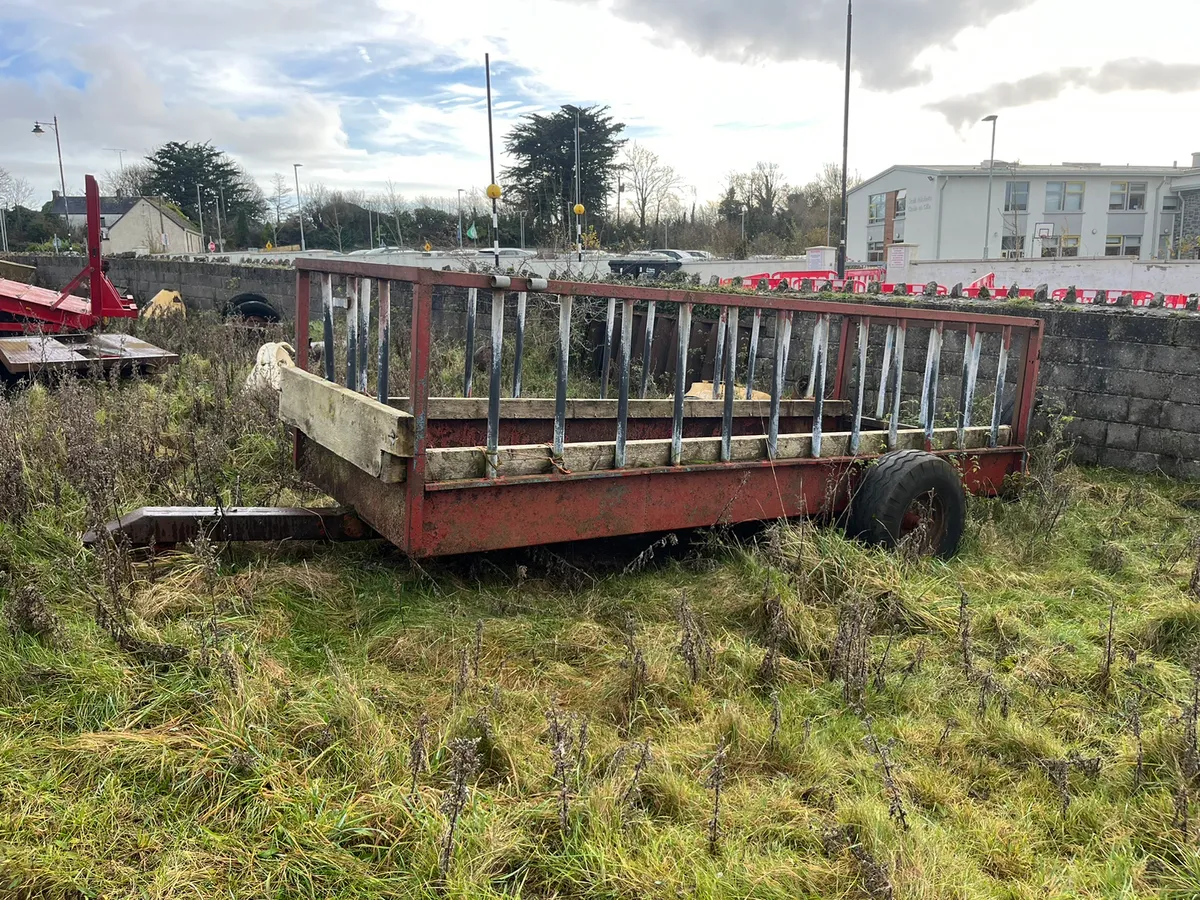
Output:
(46, 331)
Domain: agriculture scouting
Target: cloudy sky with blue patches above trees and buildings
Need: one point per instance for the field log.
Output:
(363, 92)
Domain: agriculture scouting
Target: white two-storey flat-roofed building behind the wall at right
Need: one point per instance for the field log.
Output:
(1069, 211)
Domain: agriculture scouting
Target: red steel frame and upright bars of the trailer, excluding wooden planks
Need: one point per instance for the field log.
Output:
(508, 512)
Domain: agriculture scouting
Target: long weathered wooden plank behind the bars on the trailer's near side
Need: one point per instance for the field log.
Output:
(458, 464)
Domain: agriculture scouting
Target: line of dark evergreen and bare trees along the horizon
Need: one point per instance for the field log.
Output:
(632, 199)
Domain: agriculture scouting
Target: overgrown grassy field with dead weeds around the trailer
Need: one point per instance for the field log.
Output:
(793, 716)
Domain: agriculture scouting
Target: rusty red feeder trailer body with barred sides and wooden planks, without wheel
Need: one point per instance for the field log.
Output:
(445, 476)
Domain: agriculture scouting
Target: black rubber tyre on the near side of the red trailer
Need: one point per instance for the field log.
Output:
(911, 499)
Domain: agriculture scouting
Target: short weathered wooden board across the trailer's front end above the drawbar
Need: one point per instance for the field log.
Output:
(363, 431)
